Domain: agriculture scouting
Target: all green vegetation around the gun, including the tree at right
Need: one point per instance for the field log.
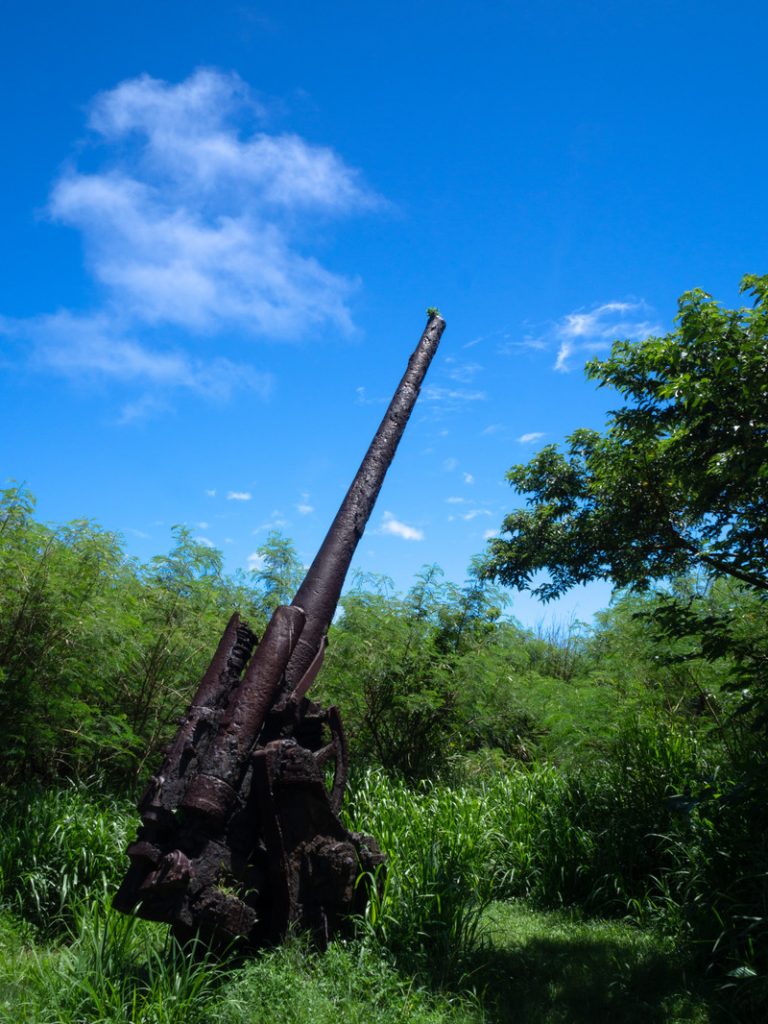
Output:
(576, 821)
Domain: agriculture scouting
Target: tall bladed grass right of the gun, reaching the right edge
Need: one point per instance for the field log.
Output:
(652, 832)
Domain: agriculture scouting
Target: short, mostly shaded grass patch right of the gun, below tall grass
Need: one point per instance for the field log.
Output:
(537, 968)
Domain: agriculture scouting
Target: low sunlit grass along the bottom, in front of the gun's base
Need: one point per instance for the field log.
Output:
(116, 970)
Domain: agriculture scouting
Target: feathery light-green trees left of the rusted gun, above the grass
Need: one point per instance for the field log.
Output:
(100, 655)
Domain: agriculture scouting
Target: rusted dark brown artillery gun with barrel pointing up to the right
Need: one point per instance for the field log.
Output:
(240, 837)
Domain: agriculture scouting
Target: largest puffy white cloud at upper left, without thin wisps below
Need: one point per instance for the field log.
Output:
(187, 227)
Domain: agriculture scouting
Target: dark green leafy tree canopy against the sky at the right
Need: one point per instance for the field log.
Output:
(678, 481)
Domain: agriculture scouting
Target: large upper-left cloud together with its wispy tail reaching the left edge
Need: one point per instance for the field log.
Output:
(189, 228)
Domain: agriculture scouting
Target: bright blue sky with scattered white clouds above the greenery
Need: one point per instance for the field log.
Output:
(223, 226)
